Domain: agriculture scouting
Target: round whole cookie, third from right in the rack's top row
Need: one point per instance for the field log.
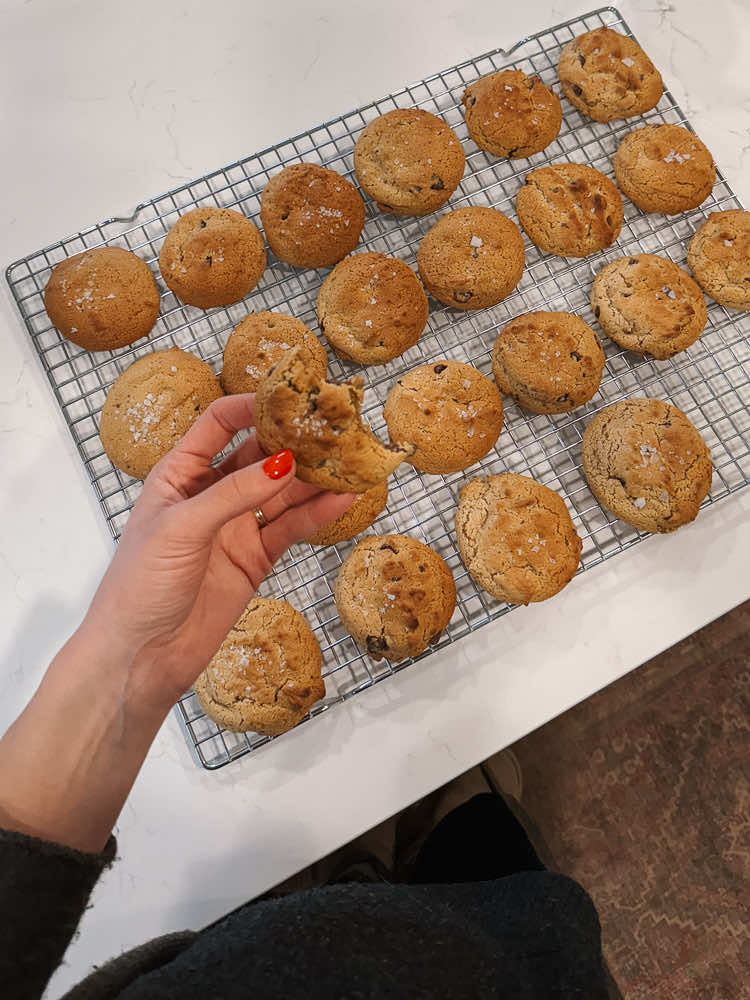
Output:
(408, 161)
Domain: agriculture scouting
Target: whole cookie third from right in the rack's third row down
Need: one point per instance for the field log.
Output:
(549, 362)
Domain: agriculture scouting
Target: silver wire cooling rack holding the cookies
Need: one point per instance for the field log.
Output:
(710, 381)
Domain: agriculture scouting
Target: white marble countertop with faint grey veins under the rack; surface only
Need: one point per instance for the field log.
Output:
(113, 103)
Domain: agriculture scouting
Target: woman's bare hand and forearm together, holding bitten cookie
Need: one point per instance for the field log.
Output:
(188, 563)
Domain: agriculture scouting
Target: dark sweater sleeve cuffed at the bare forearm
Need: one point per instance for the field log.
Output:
(44, 889)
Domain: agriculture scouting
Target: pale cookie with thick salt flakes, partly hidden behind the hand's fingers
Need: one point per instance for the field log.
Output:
(151, 405)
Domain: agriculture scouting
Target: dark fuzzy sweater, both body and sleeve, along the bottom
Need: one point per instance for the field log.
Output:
(529, 935)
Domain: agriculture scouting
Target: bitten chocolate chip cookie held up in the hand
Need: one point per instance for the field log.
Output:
(320, 422)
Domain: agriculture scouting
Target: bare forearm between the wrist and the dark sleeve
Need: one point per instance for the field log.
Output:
(69, 761)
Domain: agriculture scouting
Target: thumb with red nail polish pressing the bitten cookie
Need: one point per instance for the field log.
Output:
(241, 492)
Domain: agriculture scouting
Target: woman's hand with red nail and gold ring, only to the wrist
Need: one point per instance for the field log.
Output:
(192, 554)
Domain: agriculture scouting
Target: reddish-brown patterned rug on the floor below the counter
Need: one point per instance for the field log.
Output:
(643, 794)
